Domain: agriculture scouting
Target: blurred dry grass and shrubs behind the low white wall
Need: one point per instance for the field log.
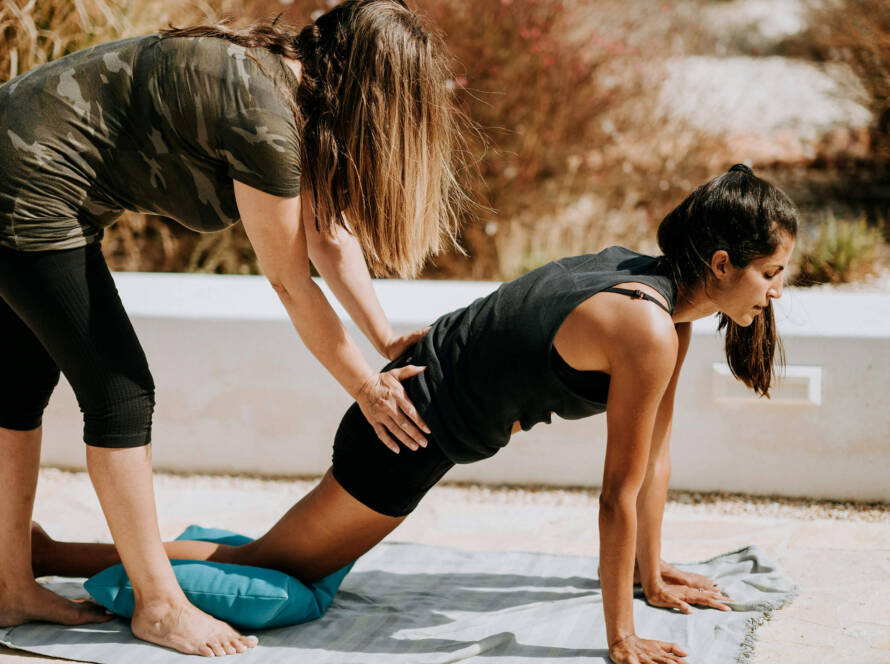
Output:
(594, 119)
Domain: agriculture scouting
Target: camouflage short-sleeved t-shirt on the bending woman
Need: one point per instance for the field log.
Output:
(157, 125)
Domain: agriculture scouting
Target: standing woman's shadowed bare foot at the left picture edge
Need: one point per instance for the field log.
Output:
(34, 602)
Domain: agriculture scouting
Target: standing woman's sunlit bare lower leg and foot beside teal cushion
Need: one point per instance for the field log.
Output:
(162, 615)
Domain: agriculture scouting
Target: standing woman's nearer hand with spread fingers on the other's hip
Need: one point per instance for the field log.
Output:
(386, 406)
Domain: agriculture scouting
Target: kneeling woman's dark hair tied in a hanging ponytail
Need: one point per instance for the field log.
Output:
(746, 217)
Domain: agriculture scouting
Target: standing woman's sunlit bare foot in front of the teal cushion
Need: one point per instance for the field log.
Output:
(189, 630)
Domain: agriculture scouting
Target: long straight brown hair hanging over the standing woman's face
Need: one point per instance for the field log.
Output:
(382, 151)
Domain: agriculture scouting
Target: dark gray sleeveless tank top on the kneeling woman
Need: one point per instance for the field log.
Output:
(491, 364)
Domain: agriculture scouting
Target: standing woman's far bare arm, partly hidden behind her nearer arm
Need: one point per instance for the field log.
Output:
(338, 258)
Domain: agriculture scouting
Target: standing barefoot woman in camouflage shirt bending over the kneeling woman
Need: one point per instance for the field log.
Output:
(326, 142)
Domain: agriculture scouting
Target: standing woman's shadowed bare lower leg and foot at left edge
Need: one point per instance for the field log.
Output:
(22, 599)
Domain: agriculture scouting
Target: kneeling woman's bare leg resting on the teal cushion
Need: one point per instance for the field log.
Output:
(324, 531)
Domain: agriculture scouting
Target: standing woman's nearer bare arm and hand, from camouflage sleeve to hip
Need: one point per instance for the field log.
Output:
(275, 229)
